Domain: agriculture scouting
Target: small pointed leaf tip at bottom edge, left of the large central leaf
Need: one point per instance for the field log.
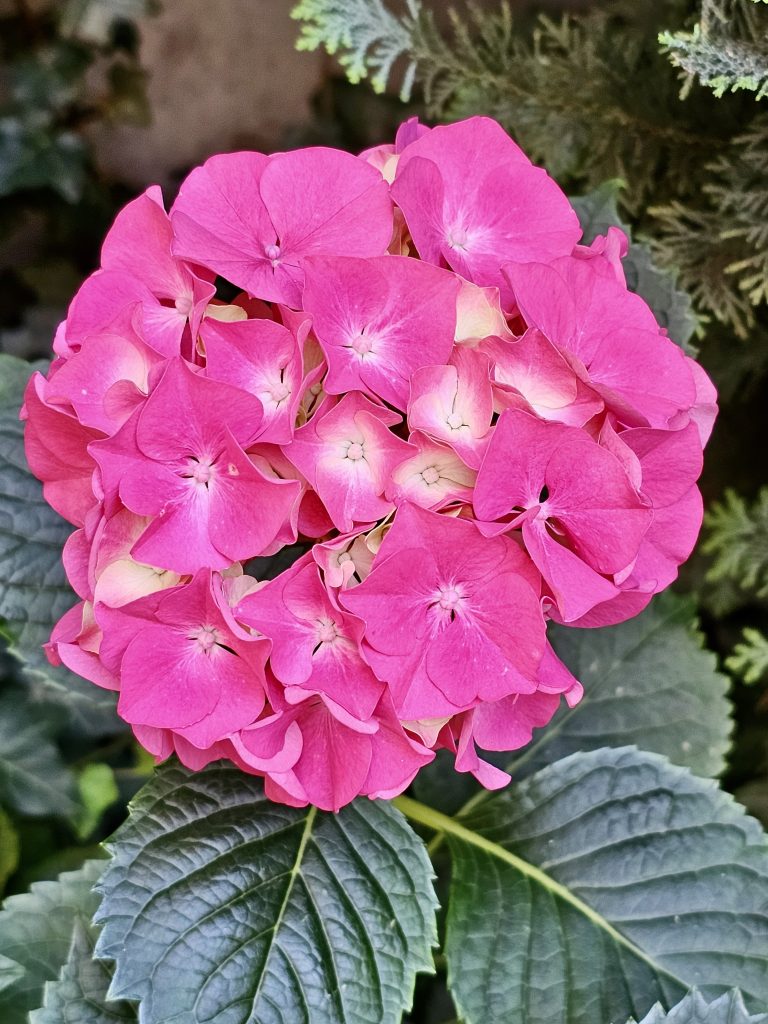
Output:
(79, 995)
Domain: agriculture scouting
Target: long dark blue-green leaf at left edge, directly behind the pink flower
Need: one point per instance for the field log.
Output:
(34, 592)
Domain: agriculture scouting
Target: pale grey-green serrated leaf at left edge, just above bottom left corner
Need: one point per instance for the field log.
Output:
(36, 932)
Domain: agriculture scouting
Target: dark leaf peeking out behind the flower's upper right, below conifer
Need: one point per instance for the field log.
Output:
(598, 212)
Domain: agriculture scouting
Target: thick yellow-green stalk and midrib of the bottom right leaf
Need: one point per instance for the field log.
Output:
(442, 824)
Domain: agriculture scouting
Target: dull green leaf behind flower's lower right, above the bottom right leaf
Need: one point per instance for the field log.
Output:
(648, 681)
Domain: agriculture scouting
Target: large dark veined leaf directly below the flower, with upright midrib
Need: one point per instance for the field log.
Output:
(221, 906)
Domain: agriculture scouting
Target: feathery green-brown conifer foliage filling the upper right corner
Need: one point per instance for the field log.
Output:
(594, 98)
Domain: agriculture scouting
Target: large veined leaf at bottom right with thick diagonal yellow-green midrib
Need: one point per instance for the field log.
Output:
(607, 882)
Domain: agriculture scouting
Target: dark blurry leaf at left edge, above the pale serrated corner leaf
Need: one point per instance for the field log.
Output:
(34, 780)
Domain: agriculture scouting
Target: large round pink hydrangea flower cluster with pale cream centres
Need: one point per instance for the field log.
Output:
(460, 417)
